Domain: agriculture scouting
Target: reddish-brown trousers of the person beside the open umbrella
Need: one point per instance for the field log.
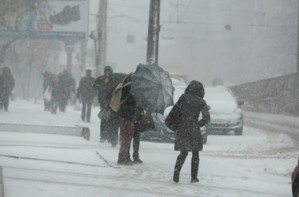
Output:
(127, 132)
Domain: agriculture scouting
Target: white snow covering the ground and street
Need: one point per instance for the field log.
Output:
(254, 164)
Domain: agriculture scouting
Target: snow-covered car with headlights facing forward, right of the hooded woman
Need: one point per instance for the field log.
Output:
(225, 111)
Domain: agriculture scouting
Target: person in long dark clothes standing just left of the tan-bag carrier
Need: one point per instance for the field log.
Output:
(105, 85)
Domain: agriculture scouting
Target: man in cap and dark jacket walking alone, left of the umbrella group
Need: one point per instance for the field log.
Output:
(86, 93)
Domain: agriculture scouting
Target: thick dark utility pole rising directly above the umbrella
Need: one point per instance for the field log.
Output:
(152, 55)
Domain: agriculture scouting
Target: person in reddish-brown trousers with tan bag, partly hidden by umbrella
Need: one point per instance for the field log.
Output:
(127, 114)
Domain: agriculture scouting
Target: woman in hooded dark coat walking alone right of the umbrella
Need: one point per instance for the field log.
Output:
(188, 137)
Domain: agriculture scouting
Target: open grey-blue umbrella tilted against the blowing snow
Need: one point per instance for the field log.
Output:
(152, 88)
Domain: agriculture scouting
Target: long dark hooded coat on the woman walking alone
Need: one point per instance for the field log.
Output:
(186, 113)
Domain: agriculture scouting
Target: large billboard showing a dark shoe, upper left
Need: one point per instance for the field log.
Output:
(44, 19)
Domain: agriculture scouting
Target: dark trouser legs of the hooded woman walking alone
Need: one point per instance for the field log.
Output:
(194, 163)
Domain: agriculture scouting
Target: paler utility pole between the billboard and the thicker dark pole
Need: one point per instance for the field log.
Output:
(102, 37)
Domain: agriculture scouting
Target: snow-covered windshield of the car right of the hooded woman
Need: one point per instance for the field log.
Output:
(220, 100)
